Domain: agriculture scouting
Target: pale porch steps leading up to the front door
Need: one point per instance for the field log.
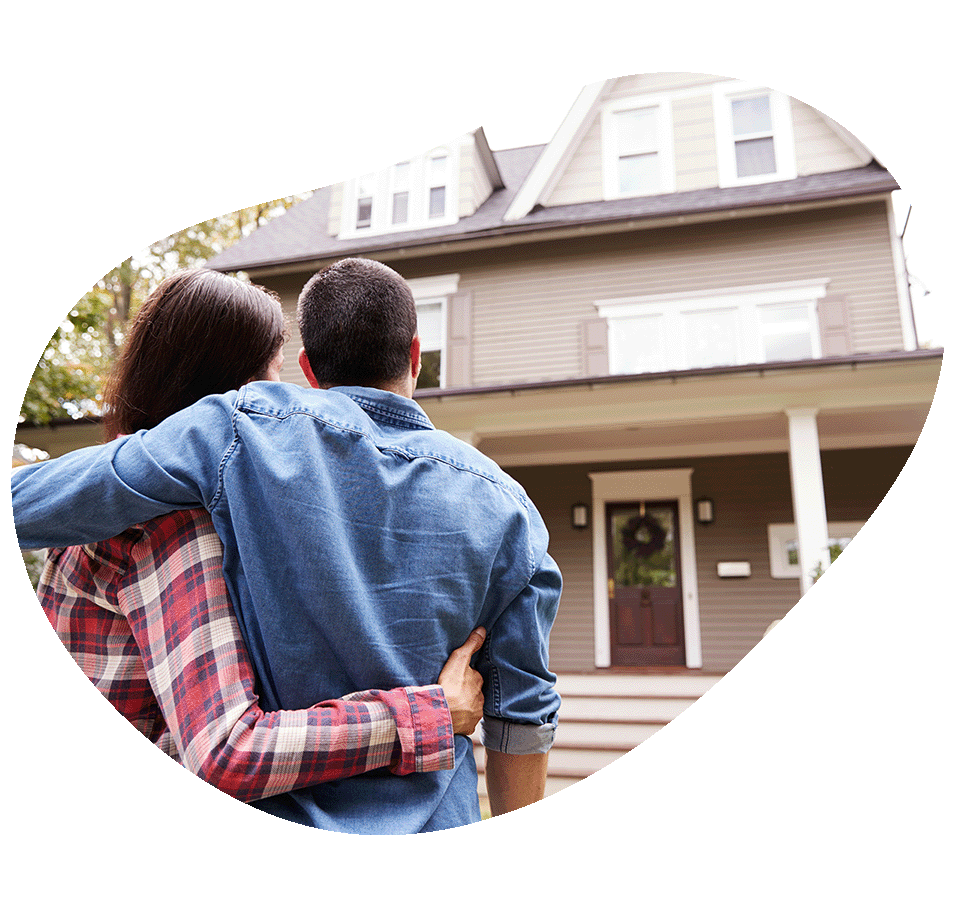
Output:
(604, 716)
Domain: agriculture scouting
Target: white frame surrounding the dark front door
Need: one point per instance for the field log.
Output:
(653, 484)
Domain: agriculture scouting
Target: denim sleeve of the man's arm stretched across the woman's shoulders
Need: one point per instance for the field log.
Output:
(97, 492)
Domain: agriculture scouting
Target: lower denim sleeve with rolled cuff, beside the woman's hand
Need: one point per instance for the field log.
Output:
(520, 697)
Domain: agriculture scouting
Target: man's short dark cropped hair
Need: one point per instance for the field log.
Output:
(357, 320)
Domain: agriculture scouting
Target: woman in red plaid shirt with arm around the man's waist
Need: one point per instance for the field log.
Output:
(146, 614)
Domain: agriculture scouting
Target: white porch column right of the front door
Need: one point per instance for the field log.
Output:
(808, 494)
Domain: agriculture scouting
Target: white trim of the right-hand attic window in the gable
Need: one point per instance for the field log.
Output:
(723, 93)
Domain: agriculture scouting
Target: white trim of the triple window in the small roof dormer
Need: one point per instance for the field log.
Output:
(418, 193)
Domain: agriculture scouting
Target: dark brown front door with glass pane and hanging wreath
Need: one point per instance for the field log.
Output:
(644, 585)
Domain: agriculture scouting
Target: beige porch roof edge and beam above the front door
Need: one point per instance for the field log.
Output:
(871, 400)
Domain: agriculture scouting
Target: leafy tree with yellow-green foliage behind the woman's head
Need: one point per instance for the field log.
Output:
(70, 375)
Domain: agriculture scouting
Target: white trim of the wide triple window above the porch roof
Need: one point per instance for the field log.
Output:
(747, 300)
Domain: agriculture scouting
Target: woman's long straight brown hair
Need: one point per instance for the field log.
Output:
(199, 332)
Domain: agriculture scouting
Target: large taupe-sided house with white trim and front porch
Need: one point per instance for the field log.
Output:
(684, 326)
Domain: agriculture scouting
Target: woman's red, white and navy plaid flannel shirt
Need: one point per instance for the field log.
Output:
(147, 617)
